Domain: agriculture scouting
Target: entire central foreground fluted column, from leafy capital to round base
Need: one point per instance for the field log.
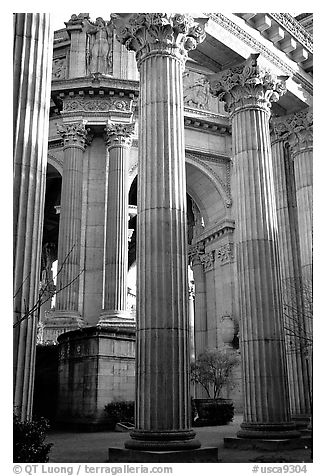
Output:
(161, 42)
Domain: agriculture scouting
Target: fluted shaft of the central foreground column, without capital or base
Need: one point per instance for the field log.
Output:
(162, 391)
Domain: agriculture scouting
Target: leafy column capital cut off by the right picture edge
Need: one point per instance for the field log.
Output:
(295, 129)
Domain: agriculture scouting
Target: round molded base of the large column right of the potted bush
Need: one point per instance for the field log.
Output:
(269, 431)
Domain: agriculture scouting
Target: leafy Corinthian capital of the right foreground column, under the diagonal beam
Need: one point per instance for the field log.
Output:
(247, 86)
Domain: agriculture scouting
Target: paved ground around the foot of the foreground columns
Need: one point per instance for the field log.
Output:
(73, 447)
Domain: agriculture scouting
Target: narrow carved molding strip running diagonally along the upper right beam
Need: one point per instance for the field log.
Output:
(237, 31)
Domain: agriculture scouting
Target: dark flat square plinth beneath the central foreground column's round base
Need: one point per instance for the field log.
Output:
(199, 455)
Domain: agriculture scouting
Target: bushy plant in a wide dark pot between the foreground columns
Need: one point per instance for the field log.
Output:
(213, 371)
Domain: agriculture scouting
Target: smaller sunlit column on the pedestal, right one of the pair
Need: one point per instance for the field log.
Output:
(118, 138)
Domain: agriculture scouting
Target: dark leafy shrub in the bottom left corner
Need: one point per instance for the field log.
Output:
(29, 436)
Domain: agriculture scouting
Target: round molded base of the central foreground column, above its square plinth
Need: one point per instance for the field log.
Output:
(162, 440)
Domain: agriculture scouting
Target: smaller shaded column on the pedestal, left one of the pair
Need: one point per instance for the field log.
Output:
(75, 137)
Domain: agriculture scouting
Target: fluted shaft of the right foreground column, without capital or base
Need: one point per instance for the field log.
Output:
(264, 367)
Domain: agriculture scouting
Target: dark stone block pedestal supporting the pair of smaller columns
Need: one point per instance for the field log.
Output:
(96, 366)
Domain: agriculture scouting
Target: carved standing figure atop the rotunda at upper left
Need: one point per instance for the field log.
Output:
(99, 47)
